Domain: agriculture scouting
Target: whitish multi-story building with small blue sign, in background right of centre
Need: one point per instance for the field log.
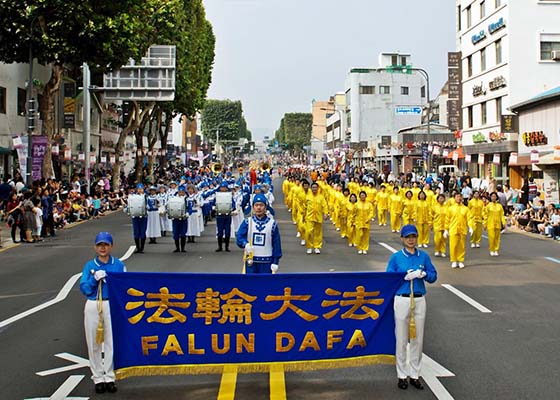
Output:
(381, 101)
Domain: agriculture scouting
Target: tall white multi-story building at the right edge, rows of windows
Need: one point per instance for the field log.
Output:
(510, 52)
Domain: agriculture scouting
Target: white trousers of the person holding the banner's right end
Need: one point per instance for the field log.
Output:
(402, 319)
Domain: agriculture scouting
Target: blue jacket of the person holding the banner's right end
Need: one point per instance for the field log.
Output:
(402, 261)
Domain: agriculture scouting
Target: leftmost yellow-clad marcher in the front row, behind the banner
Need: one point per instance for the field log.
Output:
(316, 211)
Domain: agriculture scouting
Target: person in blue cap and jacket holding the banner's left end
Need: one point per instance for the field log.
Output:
(93, 285)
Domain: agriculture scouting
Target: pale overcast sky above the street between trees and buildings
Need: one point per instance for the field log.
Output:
(276, 56)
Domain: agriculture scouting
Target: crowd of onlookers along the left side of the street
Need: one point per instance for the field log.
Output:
(38, 211)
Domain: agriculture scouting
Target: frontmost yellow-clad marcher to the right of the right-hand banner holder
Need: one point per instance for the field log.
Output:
(456, 226)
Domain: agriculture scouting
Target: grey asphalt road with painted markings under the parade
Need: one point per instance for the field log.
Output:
(510, 353)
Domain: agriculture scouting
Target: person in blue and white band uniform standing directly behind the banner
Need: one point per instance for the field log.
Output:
(260, 237)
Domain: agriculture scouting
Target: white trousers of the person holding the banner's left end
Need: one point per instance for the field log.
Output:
(101, 367)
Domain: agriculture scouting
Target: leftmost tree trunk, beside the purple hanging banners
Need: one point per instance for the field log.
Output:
(47, 115)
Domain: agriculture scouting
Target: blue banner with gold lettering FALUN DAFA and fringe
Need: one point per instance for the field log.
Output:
(171, 323)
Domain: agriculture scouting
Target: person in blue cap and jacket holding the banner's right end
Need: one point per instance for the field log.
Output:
(410, 305)
